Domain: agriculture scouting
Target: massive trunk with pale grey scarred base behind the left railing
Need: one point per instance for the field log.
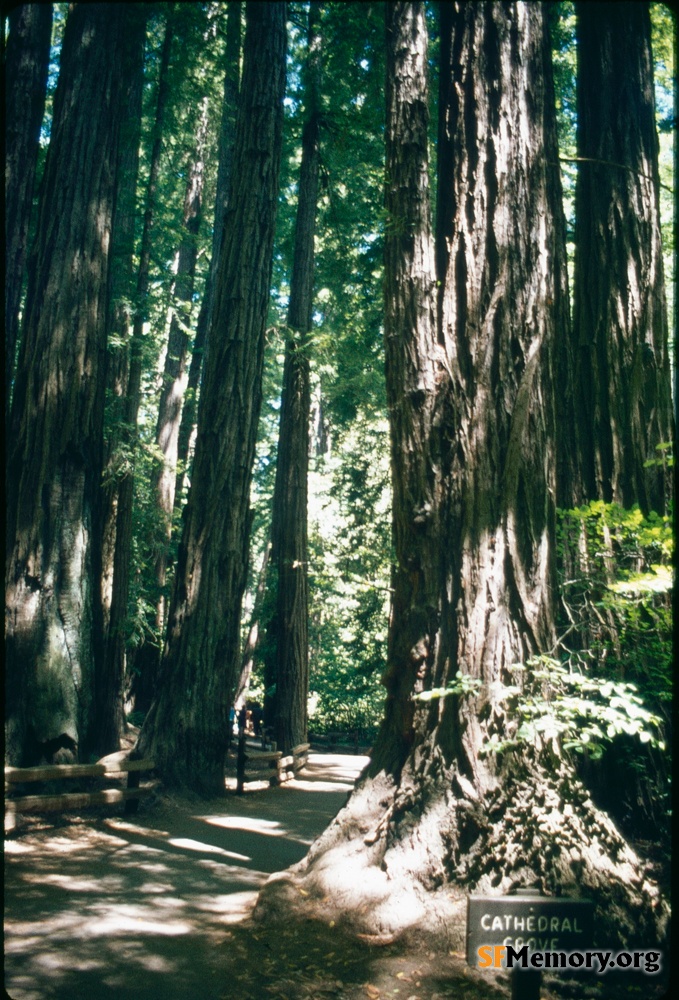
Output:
(55, 461)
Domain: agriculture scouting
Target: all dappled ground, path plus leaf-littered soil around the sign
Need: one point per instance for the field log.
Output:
(159, 905)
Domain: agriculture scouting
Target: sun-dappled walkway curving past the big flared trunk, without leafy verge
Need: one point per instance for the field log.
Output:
(140, 909)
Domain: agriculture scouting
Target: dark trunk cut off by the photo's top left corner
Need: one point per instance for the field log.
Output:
(26, 64)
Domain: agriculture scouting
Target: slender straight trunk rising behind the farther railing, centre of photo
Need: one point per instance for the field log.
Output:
(289, 630)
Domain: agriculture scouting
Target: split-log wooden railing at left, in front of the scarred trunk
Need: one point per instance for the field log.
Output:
(115, 765)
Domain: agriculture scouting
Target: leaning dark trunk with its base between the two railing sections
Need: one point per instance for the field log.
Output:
(186, 729)
